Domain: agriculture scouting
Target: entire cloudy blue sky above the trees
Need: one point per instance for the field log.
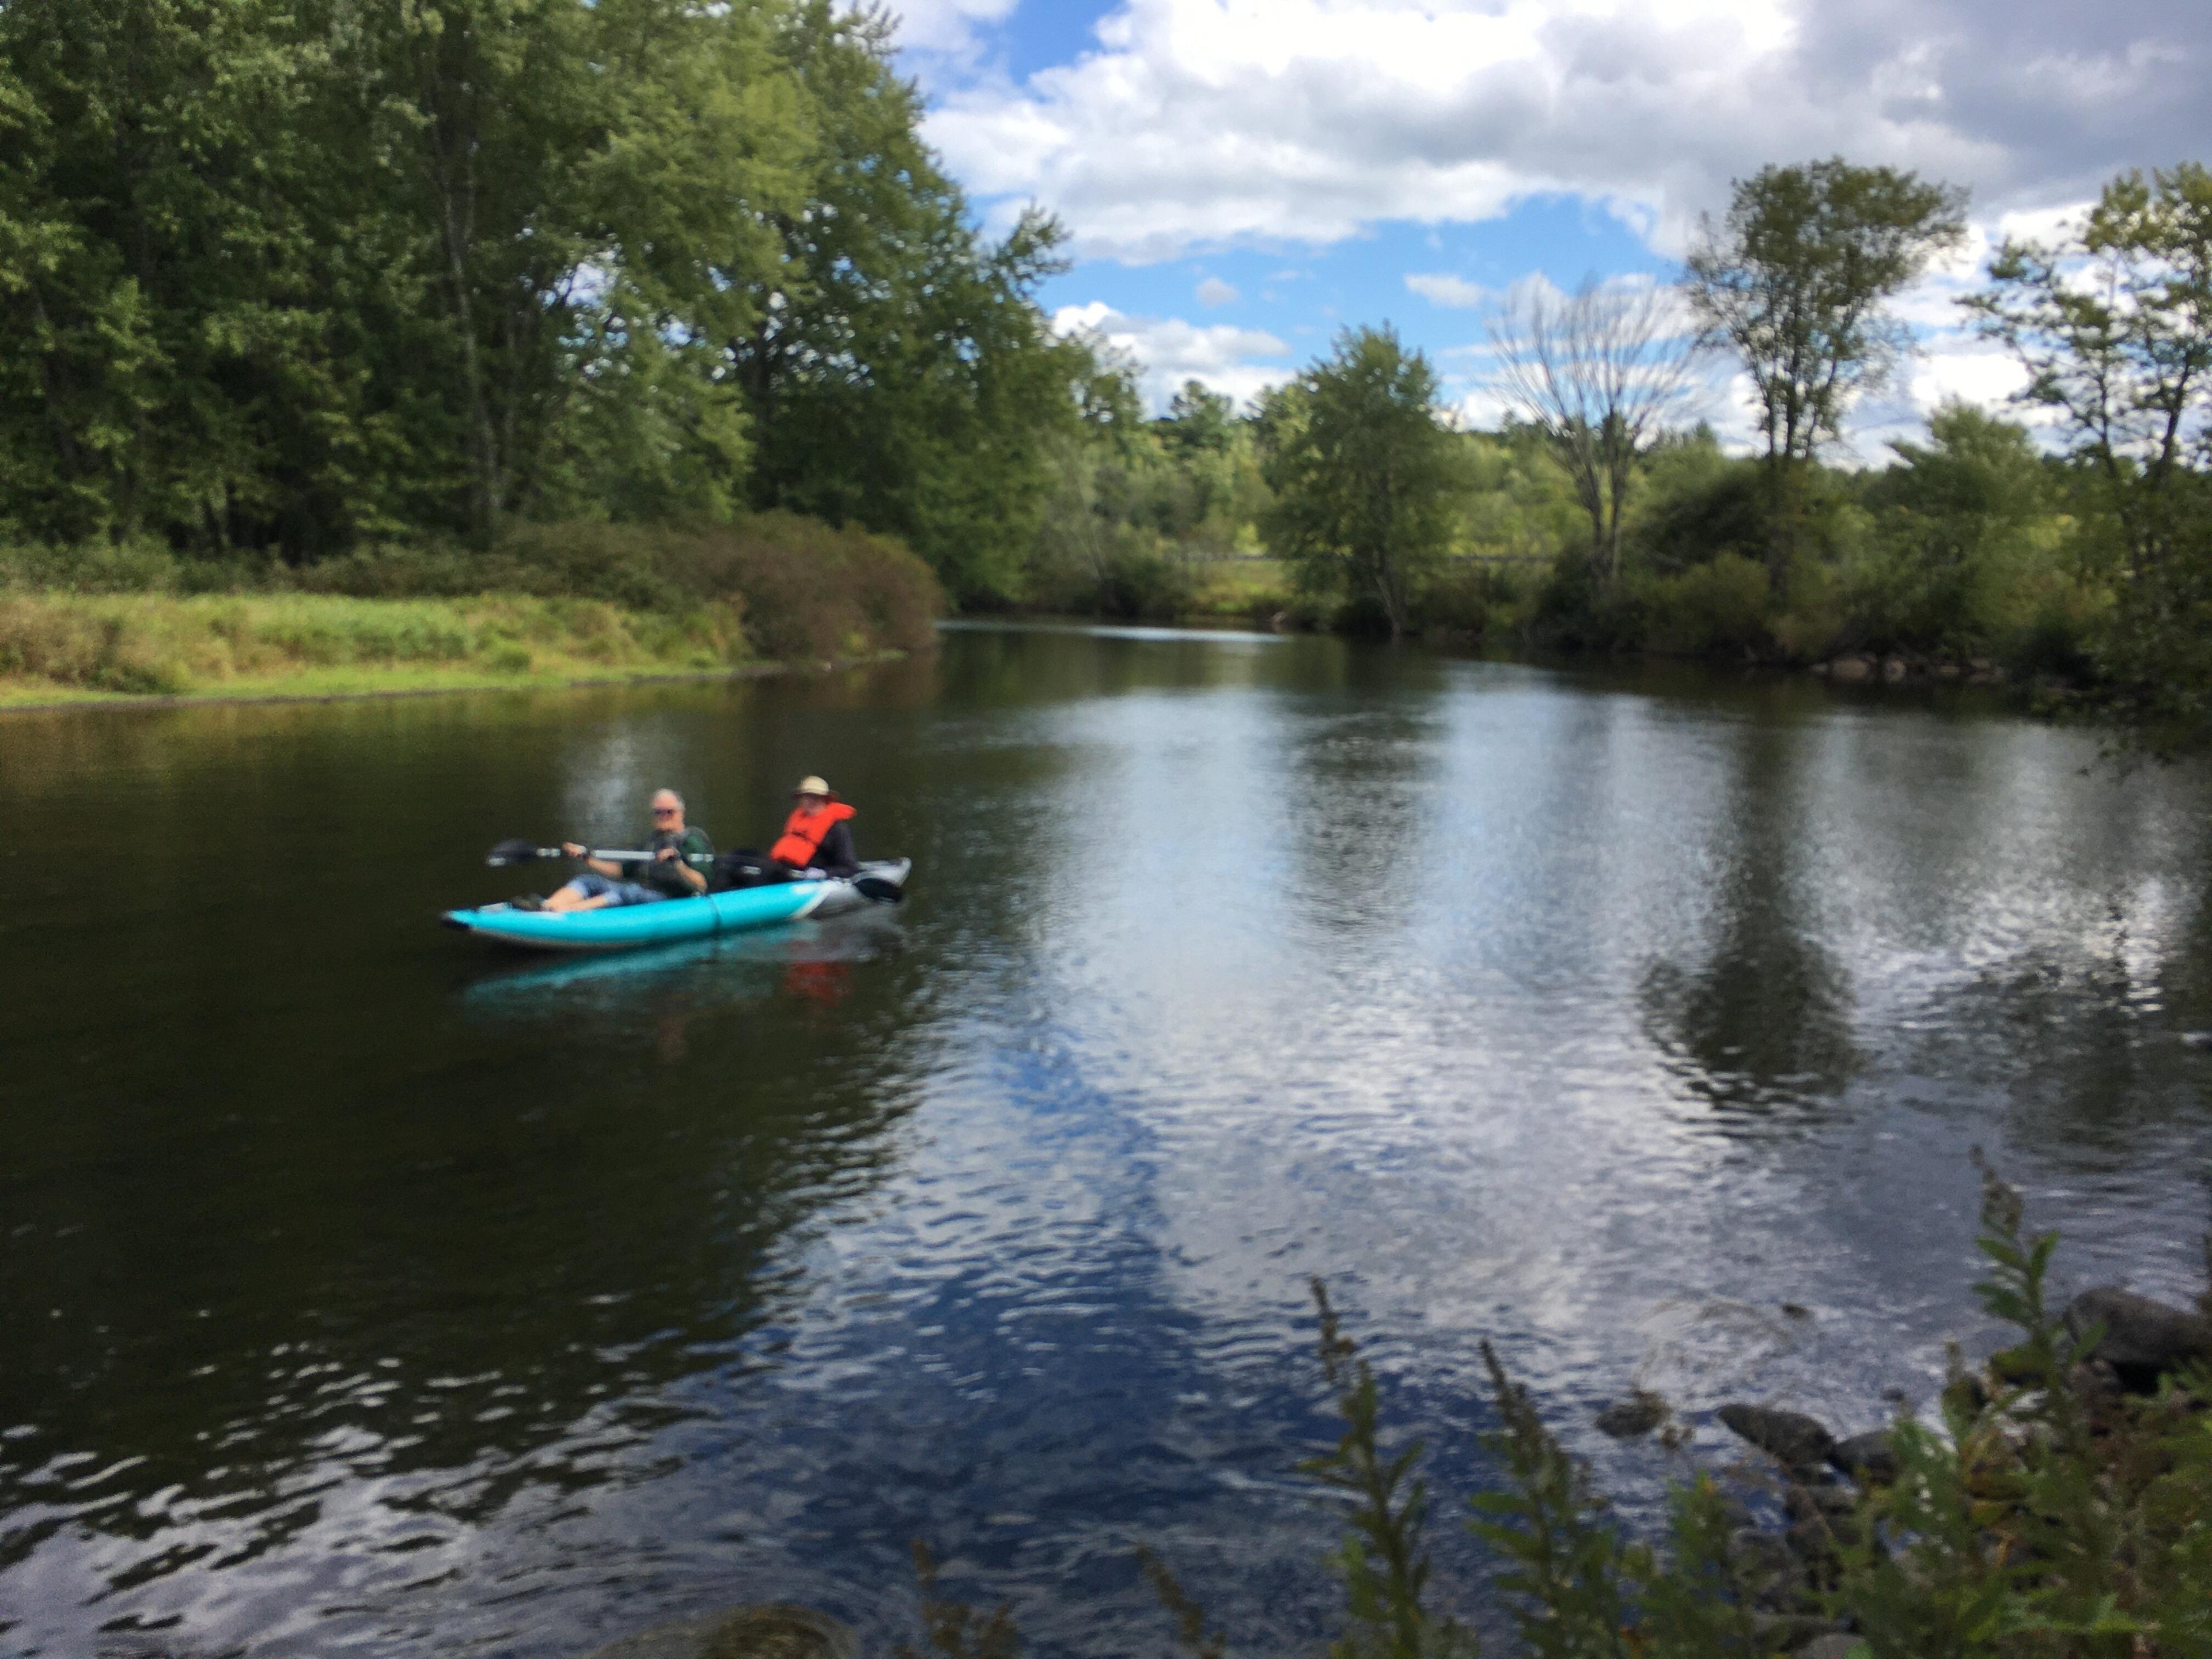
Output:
(1244, 178)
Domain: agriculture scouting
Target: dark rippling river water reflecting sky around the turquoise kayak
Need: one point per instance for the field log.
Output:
(368, 1293)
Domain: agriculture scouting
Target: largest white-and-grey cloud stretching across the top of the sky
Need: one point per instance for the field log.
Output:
(1282, 123)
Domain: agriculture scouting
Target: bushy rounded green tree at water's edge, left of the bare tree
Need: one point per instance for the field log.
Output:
(1366, 472)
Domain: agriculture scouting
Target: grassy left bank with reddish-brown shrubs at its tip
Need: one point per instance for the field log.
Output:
(552, 605)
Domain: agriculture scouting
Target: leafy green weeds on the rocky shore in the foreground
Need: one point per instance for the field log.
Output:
(2043, 1514)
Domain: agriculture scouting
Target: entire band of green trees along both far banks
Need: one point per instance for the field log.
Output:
(384, 302)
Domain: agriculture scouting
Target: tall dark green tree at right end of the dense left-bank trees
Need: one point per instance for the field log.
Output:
(899, 371)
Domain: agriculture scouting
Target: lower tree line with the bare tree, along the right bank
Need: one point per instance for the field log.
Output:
(1611, 517)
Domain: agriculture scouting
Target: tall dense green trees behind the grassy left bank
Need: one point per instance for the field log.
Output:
(291, 278)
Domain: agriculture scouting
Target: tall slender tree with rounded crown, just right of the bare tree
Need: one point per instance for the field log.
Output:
(1797, 280)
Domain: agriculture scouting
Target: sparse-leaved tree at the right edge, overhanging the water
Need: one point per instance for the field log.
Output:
(2114, 324)
